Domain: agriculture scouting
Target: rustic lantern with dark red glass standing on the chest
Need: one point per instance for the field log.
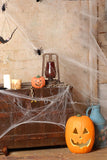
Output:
(50, 68)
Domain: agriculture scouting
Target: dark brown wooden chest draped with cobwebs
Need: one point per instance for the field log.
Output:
(34, 118)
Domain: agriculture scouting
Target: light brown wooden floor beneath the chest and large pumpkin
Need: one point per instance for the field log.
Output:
(54, 154)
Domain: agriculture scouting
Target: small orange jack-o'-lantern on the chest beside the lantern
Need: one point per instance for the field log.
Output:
(38, 82)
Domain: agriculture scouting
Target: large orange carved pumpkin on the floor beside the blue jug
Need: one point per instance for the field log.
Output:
(80, 134)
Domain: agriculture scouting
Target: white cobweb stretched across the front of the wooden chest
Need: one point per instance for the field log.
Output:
(22, 103)
